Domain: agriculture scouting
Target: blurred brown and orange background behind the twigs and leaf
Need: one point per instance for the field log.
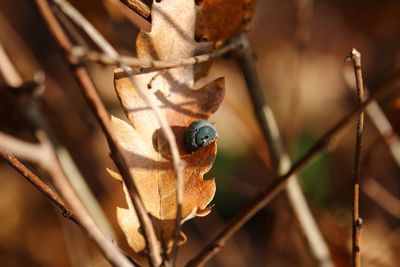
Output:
(307, 83)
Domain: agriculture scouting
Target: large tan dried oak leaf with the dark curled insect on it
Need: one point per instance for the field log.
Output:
(144, 146)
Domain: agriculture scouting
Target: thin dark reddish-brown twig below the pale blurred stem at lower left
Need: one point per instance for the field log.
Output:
(39, 184)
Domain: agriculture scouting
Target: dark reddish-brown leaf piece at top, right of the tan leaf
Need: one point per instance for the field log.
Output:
(218, 20)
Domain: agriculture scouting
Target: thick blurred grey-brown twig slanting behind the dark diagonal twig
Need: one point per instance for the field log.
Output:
(280, 159)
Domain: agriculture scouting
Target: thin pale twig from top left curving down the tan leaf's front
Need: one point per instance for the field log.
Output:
(107, 48)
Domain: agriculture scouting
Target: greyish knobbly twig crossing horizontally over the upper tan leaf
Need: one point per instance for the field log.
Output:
(148, 65)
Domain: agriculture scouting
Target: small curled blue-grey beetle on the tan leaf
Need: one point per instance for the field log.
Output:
(199, 134)
